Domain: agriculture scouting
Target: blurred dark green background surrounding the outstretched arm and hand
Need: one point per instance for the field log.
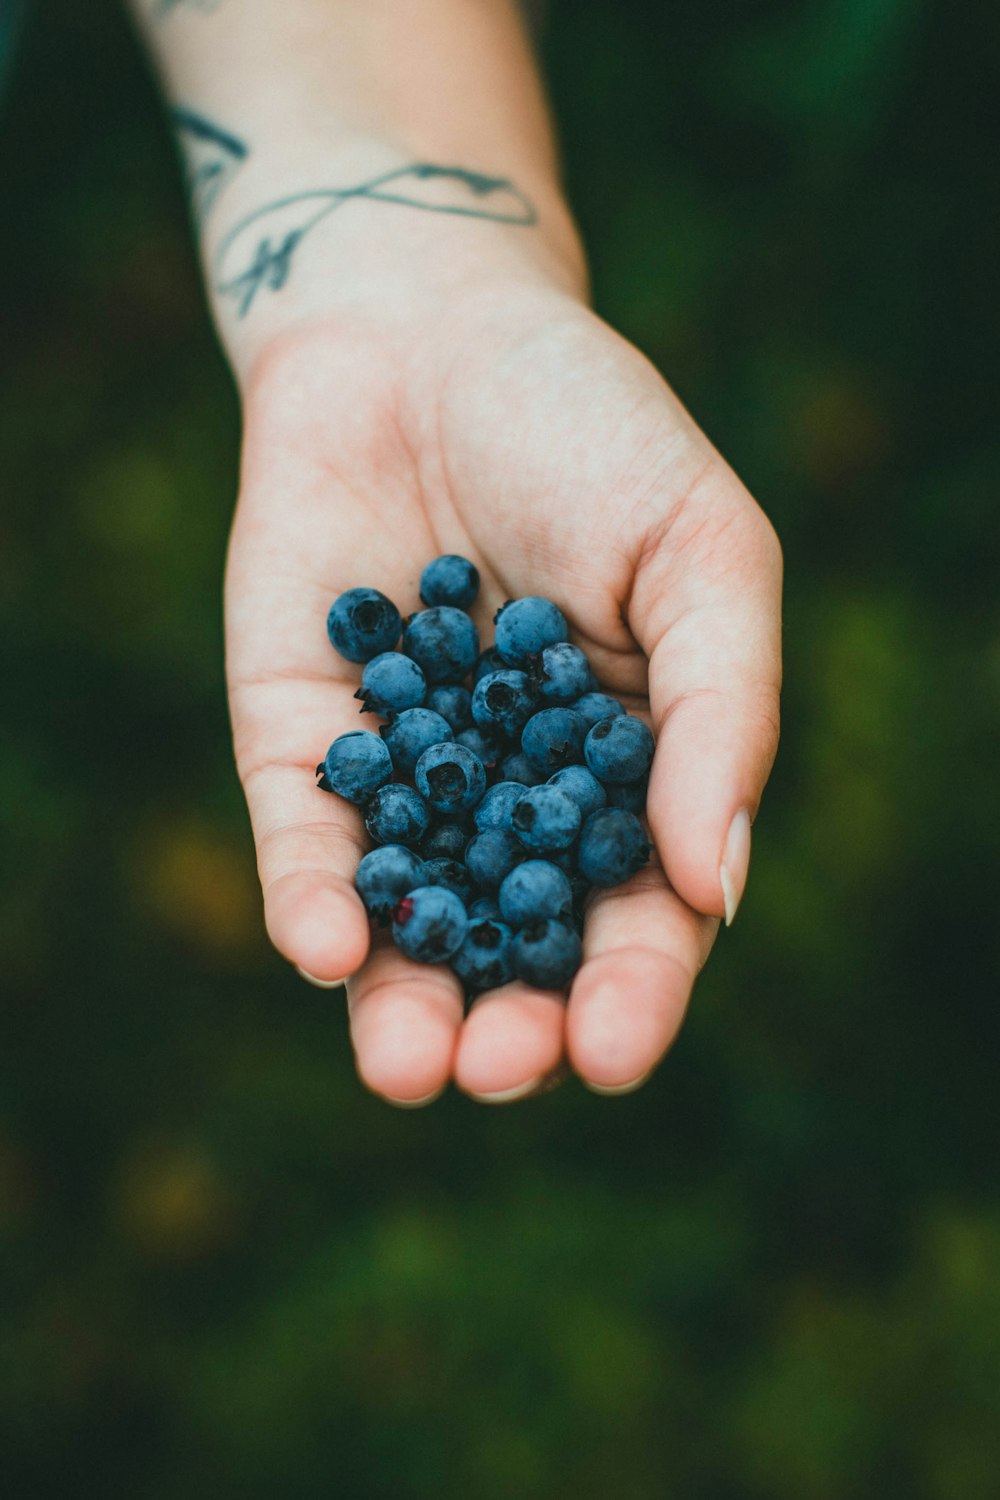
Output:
(771, 1274)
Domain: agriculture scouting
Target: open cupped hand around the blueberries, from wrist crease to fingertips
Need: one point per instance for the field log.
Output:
(515, 428)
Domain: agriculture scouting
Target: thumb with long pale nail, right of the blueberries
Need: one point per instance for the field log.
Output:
(707, 608)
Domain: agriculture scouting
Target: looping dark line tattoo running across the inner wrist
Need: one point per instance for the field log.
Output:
(259, 251)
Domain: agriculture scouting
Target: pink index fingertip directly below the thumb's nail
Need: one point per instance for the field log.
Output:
(642, 950)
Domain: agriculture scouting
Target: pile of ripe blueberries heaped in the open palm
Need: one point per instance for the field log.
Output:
(501, 788)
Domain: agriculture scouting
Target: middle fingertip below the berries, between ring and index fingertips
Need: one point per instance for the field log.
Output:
(510, 1043)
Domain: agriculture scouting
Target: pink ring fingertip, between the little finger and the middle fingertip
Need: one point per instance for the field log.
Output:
(406, 1022)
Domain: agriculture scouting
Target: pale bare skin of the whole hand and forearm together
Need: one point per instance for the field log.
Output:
(428, 383)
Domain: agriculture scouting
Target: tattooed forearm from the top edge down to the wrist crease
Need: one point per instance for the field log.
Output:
(343, 151)
